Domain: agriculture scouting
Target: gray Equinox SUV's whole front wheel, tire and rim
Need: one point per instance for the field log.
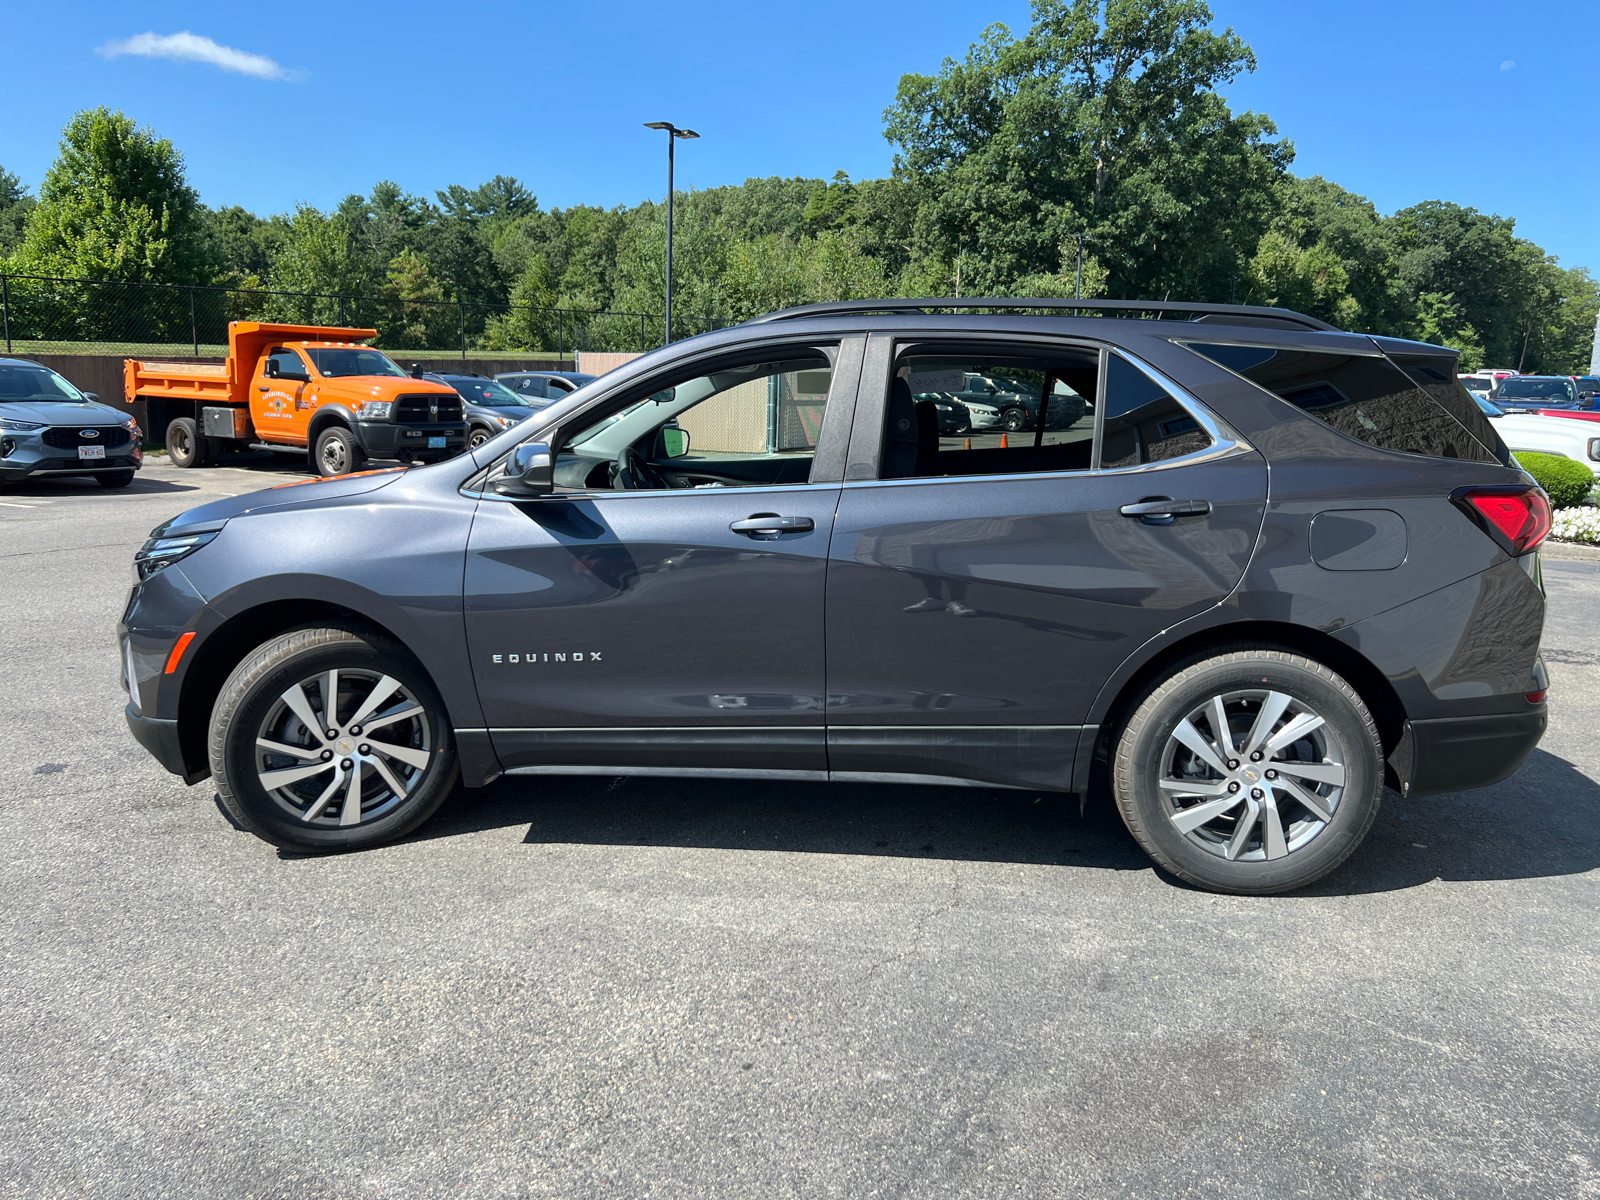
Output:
(330, 740)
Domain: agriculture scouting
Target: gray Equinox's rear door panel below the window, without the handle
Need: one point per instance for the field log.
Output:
(1010, 601)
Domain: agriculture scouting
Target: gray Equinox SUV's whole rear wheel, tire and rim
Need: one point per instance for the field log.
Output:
(1252, 772)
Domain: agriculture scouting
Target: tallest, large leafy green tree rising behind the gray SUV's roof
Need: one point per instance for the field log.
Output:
(1103, 119)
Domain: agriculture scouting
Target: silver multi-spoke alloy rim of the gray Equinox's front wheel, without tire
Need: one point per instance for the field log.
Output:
(343, 748)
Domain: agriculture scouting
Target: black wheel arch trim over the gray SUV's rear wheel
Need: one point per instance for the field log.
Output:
(1137, 679)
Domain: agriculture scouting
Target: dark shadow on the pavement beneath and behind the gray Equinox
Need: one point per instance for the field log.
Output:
(1545, 822)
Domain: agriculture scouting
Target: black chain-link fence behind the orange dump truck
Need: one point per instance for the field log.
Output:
(46, 314)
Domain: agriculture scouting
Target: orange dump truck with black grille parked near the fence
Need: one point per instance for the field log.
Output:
(302, 390)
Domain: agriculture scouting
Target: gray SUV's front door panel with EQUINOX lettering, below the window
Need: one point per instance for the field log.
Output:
(646, 610)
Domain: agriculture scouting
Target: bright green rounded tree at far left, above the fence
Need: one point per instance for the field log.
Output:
(116, 206)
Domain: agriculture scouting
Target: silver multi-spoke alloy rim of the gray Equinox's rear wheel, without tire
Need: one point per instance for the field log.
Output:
(1252, 775)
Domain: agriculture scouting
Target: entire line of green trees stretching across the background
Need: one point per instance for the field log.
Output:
(1102, 129)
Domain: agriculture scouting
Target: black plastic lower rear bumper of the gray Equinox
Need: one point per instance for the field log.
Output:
(1454, 754)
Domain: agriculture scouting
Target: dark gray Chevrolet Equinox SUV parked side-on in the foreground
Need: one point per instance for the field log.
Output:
(1268, 570)
